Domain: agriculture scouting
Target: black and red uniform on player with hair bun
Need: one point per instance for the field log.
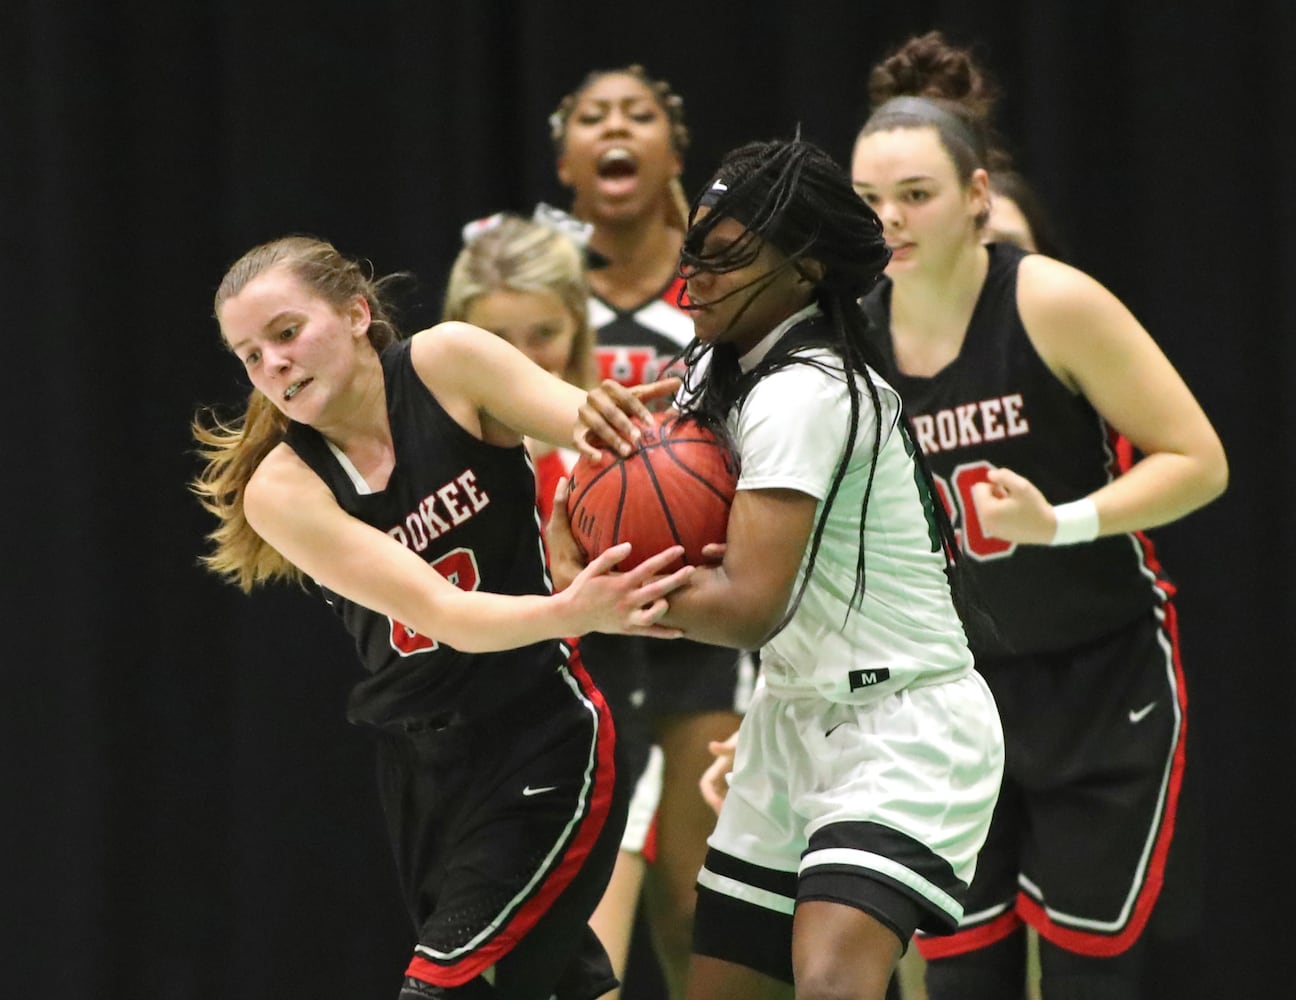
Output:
(1078, 643)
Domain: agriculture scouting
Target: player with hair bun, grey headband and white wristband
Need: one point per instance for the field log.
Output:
(1022, 375)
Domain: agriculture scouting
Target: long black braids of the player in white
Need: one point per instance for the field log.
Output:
(794, 196)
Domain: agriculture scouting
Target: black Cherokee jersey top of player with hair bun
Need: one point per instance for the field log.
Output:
(1000, 406)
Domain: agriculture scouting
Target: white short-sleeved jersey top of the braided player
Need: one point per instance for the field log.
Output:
(907, 631)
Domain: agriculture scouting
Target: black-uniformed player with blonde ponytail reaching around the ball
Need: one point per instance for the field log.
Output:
(393, 476)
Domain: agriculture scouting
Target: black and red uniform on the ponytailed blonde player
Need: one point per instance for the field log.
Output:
(503, 802)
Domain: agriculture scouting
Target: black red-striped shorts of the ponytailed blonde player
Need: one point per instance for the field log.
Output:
(505, 835)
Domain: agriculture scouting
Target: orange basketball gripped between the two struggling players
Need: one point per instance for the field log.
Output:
(676, 489)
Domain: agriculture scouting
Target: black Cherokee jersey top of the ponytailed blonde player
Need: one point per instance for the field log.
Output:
(466, 507)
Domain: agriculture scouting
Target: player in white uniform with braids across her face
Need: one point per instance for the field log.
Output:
(869, 764)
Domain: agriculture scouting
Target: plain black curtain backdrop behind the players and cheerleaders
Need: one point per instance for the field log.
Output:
(186, 813)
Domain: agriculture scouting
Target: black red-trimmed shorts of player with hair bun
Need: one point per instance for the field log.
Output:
(1094, 764)
